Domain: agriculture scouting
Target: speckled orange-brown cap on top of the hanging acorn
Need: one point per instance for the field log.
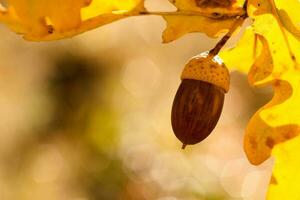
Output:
(207, 68)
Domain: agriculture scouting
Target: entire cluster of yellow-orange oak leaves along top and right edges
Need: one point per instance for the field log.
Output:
(269, 52)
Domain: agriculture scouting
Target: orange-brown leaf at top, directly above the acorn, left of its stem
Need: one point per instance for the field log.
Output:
(210, 17)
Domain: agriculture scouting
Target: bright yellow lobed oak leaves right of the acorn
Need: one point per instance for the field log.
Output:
(271, 50)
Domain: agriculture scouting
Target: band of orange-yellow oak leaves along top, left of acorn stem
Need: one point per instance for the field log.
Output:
(41, 20)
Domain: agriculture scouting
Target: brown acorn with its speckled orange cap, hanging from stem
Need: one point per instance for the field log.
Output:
(199, 99)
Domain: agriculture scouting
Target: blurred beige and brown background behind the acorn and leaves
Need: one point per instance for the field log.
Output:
(88, 118)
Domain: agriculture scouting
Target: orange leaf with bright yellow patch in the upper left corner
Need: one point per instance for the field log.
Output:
(51, 20)
